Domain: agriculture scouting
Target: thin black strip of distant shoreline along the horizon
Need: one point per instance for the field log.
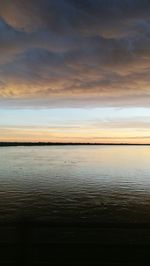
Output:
(12, 144)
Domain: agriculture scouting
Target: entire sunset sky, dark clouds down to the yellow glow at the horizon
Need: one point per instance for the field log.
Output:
(75, 71)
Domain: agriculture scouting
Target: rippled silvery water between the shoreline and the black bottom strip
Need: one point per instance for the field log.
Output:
(75, 183)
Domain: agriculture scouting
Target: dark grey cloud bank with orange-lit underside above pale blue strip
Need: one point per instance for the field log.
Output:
(73, 52)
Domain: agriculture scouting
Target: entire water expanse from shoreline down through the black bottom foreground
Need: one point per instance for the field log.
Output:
(75, 205)
